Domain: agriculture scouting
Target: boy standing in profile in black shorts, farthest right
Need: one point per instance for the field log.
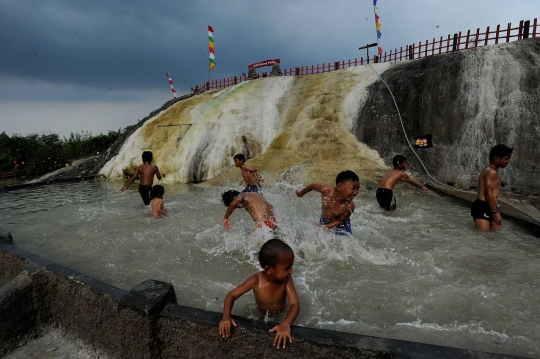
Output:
(484, 210)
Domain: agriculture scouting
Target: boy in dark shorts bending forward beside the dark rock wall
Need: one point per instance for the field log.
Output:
(385, 194)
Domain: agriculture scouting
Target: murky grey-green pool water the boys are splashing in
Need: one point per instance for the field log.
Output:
(421, 273)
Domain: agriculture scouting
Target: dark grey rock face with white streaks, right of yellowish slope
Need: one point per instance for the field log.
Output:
(469, 101)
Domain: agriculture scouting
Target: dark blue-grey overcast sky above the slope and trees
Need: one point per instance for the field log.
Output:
(77, 65)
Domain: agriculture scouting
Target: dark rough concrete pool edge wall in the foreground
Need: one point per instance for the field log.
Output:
(37, 295)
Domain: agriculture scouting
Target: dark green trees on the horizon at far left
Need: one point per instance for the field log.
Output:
(39, 154)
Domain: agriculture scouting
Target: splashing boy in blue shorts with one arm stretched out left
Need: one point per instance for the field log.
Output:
(337, 202)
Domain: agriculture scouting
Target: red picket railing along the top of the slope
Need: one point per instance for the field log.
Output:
(451, 43)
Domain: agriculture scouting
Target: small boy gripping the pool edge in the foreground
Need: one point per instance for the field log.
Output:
(271, 287)
